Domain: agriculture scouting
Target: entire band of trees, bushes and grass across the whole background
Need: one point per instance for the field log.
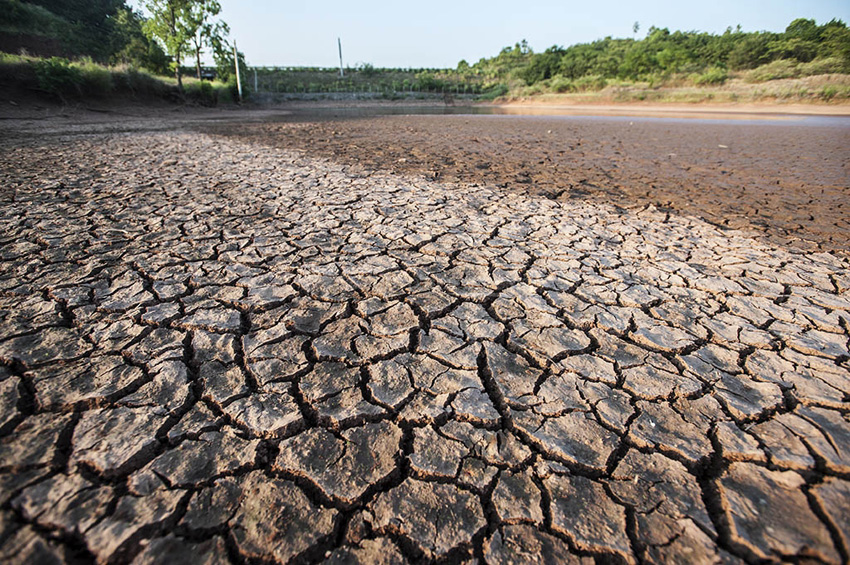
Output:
(87, 48)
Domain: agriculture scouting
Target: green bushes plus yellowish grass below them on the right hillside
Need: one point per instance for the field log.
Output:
(665, 58)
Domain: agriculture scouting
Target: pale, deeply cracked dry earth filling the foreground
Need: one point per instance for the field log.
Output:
(215, 351)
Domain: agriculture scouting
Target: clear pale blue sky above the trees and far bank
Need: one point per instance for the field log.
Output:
(439, 33)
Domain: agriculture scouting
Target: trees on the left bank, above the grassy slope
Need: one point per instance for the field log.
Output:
(170, 34)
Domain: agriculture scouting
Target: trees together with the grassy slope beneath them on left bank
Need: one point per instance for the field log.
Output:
(90, 48)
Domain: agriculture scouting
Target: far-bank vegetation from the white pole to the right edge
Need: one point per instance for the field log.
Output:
(613, 69)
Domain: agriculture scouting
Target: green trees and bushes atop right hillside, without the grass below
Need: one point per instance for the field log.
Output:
(663, 53)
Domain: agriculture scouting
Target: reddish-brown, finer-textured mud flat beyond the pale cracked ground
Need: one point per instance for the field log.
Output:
(787, 180)
